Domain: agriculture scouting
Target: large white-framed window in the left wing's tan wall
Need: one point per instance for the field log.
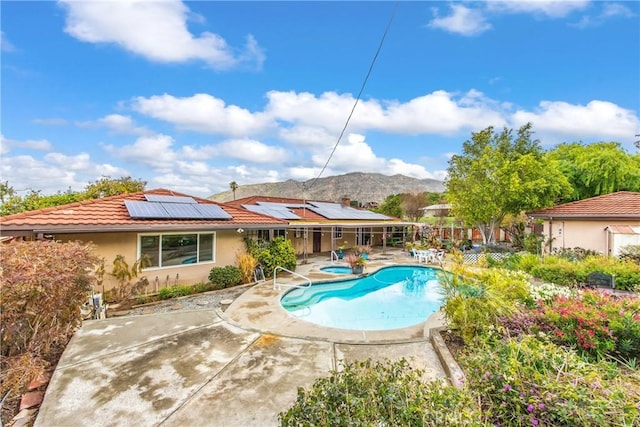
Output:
(169, 250)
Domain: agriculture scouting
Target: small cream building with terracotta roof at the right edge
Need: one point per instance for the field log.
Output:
(604, 223)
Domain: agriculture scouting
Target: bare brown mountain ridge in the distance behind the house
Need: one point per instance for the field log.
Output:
(357, 186)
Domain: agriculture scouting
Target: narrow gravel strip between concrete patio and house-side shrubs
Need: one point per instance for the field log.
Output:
(204, 301)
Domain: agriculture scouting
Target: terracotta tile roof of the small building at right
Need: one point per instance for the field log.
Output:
(623, 204)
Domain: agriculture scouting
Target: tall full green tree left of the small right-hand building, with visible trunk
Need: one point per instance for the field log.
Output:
(499, 174)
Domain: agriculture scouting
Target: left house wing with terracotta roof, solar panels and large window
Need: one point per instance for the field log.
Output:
(183, 236)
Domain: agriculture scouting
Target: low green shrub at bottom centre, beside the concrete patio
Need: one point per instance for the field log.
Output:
(380, 394)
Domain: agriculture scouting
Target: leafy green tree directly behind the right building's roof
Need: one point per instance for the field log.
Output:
(596, 169)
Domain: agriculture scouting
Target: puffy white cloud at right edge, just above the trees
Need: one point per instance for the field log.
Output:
(597, 119)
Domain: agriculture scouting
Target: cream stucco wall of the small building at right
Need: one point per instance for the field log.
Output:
(581, 233)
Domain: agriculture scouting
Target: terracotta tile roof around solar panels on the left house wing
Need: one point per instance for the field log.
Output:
(110, 214)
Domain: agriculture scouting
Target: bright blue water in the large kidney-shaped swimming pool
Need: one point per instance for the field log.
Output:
(391, 298)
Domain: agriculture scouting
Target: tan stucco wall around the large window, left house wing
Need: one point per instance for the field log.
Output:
(108, 245)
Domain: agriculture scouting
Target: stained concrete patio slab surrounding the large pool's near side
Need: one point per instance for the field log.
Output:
(240, 367)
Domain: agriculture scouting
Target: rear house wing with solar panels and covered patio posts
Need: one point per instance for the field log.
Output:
(325, 226)
